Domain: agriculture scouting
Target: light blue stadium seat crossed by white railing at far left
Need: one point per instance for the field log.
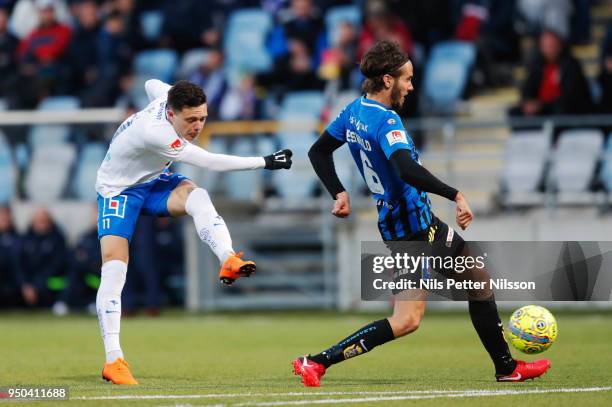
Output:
(48, 134)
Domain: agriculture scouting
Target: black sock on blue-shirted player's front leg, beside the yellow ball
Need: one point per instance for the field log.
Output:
(490, 330)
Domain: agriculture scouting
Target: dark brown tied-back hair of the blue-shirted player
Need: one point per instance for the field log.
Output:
(384, 58)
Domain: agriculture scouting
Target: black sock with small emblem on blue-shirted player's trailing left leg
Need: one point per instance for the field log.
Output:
(362, 341)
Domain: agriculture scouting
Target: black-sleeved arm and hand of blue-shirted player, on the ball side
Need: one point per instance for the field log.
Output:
(419, 177)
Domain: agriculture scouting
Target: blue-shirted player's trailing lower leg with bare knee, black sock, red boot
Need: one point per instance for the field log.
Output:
(406, 318)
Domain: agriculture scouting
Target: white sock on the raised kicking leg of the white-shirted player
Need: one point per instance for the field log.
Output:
(210, 226)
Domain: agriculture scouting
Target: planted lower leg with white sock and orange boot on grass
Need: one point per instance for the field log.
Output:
(108, 306)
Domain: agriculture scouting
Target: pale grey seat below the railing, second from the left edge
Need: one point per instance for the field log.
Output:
(49, 171)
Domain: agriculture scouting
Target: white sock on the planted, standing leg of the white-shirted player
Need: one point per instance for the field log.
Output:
(108, 306)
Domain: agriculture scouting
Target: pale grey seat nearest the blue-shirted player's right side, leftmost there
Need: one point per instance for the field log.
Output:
(525, 161)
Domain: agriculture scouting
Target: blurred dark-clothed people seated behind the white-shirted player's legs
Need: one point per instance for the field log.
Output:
(39, 269)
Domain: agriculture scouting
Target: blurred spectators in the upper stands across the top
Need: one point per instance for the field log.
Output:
(86, 48)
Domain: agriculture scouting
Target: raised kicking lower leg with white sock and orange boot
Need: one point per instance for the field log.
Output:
(212, 230)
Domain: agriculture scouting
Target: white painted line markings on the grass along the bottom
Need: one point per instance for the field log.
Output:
(400, 395)
